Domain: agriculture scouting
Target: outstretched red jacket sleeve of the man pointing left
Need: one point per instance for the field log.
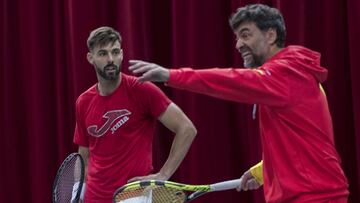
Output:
(260, 86)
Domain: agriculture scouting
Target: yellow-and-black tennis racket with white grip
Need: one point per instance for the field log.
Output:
(155, 191)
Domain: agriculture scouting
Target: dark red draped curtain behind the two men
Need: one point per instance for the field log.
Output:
(43, 69)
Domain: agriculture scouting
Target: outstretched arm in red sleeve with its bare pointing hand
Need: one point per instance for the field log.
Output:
(269, 86)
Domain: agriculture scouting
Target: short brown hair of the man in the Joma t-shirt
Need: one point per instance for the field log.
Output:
(102, 36)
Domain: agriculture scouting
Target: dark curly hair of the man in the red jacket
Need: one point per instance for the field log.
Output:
(264, 17)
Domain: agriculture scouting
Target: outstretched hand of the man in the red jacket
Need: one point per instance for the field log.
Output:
(149, 71)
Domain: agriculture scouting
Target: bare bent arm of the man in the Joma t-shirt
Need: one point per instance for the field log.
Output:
(175, 120)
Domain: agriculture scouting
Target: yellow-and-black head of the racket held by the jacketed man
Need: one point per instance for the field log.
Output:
(162, 191)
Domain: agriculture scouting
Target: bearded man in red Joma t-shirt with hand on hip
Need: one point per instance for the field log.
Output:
(115, 123)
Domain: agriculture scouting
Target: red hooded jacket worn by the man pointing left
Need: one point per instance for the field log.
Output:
(300, 160)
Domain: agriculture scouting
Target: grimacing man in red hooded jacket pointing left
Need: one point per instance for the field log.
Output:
(300, 162)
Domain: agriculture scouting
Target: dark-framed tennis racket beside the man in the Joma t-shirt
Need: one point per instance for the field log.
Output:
(69, 180)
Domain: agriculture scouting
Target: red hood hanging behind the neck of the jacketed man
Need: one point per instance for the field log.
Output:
(306, 58)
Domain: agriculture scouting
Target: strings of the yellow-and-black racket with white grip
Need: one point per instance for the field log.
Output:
(159, 194)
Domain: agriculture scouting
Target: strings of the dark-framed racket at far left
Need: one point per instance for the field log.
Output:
(69, 175)
